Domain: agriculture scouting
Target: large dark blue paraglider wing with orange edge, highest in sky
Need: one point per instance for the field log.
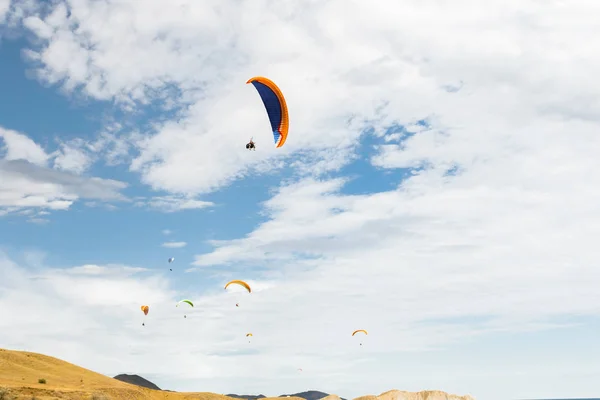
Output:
(276, 107)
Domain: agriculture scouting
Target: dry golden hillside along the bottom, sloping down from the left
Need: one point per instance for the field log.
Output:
(21, 370)
